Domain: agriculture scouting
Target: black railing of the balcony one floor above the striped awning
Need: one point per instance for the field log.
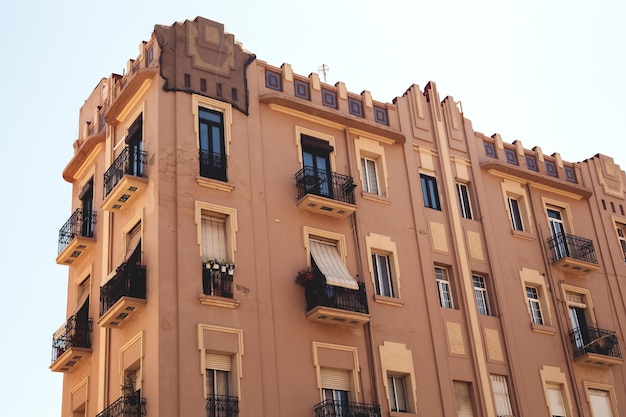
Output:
(328, 184)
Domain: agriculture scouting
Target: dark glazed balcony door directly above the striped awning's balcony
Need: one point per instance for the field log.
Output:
(316, 163)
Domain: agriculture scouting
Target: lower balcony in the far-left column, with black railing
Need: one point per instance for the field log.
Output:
(71, 344)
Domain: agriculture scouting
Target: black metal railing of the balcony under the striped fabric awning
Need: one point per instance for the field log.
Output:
(318, 293)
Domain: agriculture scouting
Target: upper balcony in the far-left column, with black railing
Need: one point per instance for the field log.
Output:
(76, 239)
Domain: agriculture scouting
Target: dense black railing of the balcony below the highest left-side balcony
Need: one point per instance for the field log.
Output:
(129, 281)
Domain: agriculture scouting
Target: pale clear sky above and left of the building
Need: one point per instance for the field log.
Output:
(549, 73)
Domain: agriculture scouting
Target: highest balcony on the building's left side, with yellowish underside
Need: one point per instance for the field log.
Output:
(124, 180)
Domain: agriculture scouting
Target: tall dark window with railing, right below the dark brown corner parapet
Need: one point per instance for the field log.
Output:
(211, 144)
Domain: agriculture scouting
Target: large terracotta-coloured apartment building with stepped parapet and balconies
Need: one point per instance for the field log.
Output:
(248, 241)
